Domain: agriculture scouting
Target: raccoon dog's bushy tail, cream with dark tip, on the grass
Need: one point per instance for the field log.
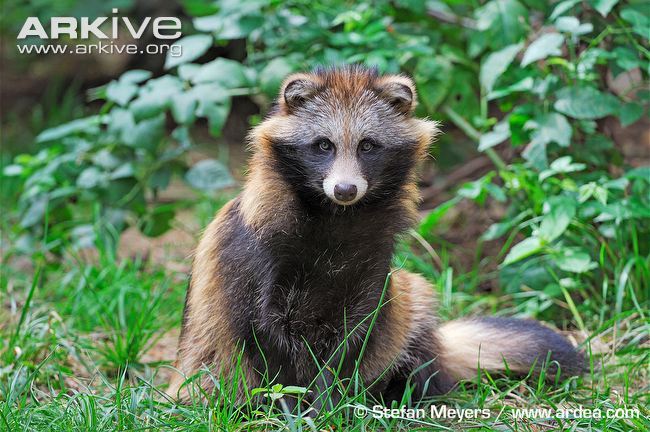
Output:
(500, 344)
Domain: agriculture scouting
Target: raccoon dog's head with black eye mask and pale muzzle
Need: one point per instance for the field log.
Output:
(346, 136)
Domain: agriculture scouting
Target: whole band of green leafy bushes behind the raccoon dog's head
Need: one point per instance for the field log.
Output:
(534, 75)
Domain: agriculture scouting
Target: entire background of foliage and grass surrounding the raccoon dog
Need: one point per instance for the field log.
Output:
(536, 201)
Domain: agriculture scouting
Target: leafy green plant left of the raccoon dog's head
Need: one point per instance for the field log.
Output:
(109, 168)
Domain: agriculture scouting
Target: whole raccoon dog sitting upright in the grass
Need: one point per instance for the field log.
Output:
(295, 273)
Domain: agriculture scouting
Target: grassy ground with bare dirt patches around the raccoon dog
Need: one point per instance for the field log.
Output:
(93, 339)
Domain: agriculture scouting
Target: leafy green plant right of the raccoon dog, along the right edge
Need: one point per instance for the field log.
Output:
(565, 210)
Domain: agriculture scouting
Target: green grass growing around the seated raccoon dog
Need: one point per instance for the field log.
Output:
(86, 344)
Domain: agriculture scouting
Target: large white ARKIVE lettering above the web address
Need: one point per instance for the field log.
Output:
(83, 28)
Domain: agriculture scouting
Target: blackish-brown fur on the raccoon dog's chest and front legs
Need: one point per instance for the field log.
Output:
(308, 287)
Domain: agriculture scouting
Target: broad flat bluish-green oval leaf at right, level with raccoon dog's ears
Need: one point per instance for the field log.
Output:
(585, 103)
